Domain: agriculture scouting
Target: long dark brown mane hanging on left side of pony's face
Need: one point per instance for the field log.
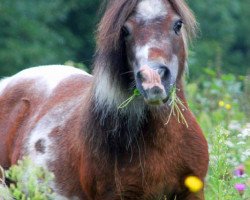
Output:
(110, 47)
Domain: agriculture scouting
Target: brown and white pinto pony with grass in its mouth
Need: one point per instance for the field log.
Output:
(68, 121)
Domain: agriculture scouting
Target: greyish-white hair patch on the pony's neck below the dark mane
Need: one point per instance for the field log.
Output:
(109, 95)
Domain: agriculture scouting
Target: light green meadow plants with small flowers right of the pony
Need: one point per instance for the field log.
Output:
(219, 107)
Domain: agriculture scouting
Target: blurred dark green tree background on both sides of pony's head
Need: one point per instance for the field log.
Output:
(36, 32)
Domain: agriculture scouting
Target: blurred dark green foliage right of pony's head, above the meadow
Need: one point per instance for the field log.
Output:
(223, 40)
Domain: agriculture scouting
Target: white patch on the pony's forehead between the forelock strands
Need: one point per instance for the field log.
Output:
(148, 10)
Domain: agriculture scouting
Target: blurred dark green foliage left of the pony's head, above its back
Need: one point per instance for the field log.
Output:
(44, 32)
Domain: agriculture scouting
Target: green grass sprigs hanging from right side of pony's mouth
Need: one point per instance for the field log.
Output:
(176, 108)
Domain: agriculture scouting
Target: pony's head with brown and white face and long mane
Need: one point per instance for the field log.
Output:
(147, 43)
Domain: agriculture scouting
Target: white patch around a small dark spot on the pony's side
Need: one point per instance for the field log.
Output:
(56, 117)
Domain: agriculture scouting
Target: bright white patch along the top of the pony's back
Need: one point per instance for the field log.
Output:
(47, 76)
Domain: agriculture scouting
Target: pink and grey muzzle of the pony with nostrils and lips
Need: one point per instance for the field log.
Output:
(153, 84)
